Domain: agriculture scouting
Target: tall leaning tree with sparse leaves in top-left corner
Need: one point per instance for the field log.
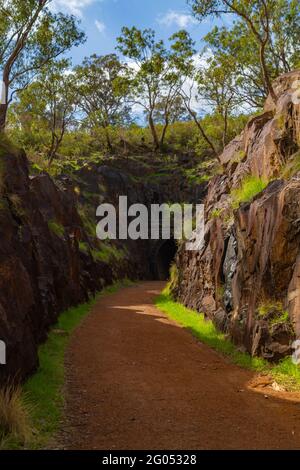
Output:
(30, 37)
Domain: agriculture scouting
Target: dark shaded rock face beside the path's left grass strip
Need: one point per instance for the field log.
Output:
(42, 272)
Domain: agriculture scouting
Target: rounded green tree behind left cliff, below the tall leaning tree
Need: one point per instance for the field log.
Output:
(49, 104)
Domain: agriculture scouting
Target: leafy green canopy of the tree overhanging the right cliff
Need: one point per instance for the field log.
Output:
(262, 39)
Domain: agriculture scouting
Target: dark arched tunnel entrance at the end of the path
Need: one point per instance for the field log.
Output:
(163, 257)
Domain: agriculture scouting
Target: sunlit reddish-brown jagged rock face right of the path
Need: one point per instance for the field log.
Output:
(247, 276)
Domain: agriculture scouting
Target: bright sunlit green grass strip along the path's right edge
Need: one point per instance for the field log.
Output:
(285, 372)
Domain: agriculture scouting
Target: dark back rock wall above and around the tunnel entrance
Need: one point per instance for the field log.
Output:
(141, 184)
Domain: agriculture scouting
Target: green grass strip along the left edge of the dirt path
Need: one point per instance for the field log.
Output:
(42, 394)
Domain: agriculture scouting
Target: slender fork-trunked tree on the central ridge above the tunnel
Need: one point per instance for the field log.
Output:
(154, 82)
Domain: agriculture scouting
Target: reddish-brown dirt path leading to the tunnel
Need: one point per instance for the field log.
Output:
(138, 381)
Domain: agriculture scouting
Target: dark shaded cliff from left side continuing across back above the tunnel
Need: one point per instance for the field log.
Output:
(50, 258)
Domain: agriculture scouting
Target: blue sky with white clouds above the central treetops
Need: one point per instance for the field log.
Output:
(102, 21)
